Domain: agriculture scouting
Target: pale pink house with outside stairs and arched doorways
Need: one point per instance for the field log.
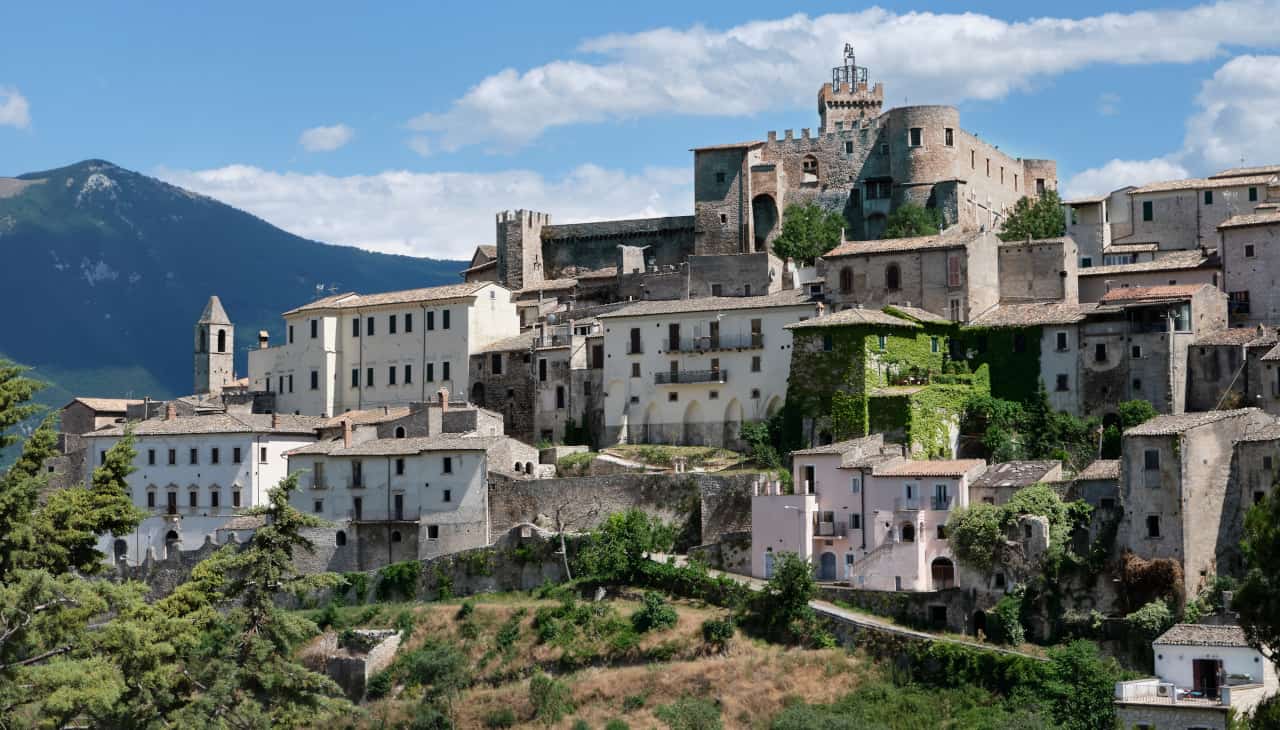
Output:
(863, 514)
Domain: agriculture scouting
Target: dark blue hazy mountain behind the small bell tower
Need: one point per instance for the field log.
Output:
(106, 272)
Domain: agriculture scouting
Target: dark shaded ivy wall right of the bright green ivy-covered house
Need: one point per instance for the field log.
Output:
(1011, 355)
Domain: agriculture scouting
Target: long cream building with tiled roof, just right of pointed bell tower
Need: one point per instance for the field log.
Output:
(356, 352)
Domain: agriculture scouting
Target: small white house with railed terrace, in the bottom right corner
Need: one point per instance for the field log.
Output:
(1203, 673)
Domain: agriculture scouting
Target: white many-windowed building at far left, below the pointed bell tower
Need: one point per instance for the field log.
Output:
(195, 474)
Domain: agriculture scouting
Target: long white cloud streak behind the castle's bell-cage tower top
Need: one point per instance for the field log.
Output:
(765, 65)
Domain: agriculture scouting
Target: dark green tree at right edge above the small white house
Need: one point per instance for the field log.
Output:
(1259, 597)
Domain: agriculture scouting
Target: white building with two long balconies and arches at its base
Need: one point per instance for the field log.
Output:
(692, 372)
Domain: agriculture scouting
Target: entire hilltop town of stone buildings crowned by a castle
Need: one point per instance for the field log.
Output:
(1108, 395)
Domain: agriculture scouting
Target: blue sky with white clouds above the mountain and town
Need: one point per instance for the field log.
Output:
(426, 120)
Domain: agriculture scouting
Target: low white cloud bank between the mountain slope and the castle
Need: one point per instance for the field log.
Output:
(435, 215)
